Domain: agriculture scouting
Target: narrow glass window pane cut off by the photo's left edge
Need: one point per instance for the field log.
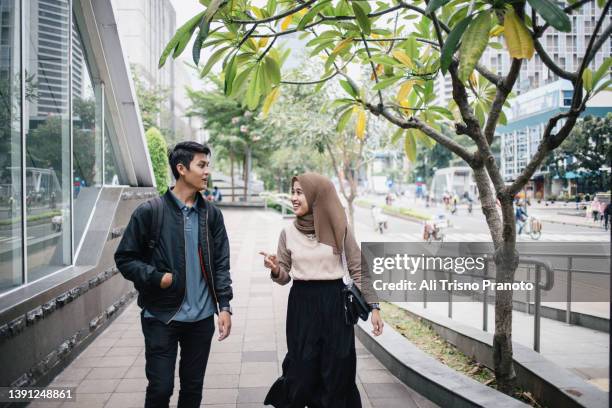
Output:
(11, 234)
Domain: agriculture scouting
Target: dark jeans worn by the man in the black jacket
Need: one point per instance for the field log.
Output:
(161, 341)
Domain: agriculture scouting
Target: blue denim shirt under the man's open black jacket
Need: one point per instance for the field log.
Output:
(197, 304)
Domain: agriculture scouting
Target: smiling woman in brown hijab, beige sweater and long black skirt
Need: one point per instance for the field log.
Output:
(320, 366)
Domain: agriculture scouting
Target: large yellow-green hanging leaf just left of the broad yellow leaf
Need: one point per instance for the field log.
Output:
(474, 42)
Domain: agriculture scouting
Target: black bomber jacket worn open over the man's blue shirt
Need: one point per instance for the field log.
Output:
(169, 256)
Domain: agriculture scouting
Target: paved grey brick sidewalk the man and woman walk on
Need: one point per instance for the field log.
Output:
(110, 372)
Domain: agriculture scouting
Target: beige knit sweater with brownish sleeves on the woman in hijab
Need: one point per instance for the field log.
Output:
(303, 258)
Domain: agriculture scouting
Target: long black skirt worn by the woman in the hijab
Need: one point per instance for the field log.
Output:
(320, 366)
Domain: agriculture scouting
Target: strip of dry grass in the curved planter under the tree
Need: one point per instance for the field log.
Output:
(420, 333)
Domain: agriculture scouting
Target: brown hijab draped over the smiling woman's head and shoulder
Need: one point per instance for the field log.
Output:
(326, 217)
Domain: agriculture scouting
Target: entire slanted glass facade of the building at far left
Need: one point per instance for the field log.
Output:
(56, 149)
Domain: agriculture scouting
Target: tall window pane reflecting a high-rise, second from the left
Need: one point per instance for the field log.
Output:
(47, 148)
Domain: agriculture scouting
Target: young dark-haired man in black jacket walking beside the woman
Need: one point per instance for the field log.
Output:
(182, 281)
